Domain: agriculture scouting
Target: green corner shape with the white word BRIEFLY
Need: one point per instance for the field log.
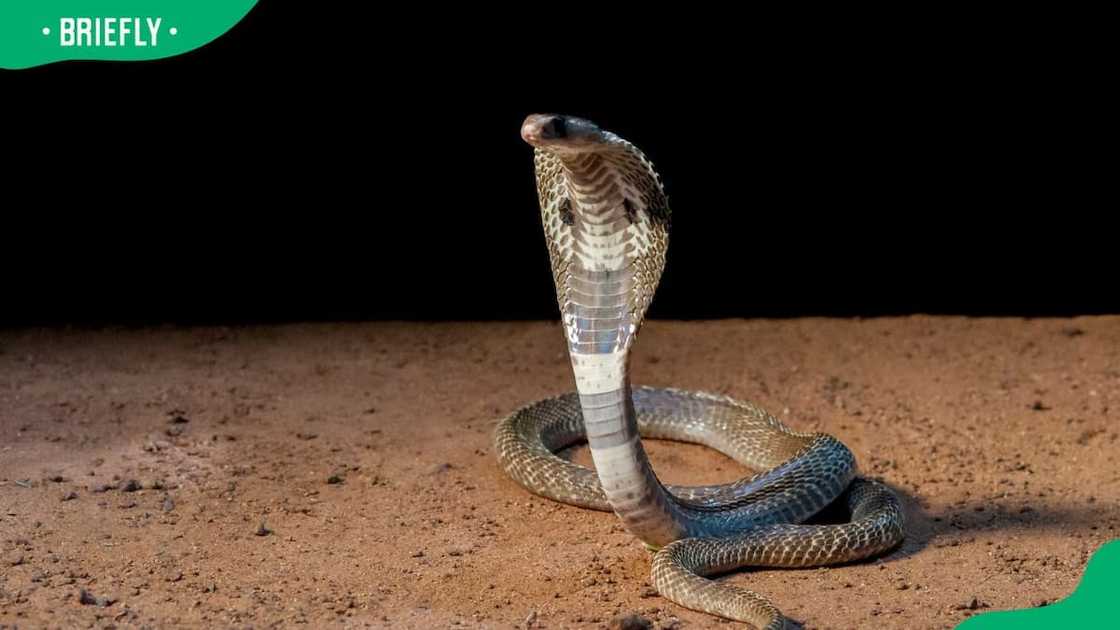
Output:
(198, 23)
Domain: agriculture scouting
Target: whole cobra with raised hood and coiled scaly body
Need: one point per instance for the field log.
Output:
(606, 220)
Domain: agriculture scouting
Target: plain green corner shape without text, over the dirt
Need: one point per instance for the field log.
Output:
(1093, 605)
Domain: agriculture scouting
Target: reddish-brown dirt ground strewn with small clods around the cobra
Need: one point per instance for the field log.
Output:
(342, 476)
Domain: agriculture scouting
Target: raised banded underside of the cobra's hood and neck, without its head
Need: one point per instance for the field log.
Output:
(604, 242)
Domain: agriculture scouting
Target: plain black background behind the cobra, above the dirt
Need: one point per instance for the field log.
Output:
(375, 170)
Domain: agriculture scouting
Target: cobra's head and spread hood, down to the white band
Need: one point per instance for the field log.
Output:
(606, 220)
